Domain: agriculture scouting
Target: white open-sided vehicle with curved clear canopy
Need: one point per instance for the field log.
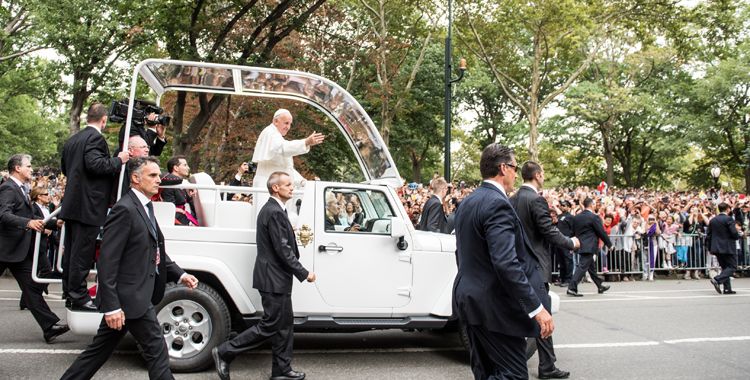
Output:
(386, 276)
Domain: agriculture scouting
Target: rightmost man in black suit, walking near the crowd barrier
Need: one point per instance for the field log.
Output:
(722, 238)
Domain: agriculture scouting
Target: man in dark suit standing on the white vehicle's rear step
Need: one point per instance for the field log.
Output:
(90, 171)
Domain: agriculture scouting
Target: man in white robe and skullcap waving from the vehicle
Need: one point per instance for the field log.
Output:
(274, 153)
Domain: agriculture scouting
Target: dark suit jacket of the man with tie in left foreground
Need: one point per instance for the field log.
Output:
(127, 263)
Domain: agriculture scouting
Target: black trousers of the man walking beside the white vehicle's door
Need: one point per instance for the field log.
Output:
(277, 326)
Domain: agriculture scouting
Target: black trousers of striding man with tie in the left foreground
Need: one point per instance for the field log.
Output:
(145, 330)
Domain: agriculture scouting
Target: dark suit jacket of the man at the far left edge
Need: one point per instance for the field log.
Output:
(15, 213)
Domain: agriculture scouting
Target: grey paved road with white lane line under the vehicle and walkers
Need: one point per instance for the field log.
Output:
(662, 330)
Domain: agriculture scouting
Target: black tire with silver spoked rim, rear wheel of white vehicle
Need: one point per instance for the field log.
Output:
(205, 314)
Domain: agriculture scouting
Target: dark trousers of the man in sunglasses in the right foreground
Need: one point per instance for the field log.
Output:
(496, 356)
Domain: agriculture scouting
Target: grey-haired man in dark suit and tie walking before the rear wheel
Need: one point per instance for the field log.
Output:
(133, 270)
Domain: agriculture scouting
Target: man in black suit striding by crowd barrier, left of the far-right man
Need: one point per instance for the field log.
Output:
(588, 229)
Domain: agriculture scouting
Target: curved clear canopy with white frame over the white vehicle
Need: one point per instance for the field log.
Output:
(325, 95)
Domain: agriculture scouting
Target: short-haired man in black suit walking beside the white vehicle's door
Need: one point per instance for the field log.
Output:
(276, 263)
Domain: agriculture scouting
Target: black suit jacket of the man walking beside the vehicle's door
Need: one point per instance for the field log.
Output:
(278, 256)
